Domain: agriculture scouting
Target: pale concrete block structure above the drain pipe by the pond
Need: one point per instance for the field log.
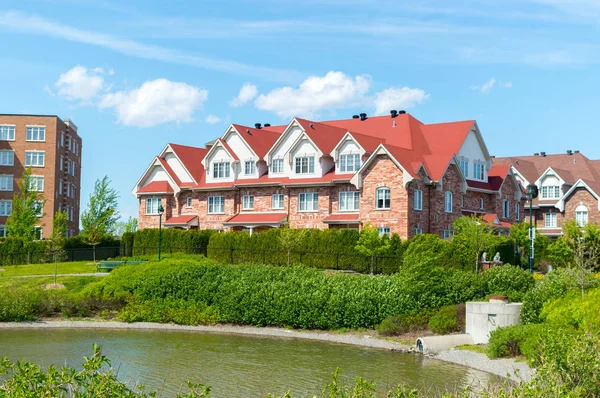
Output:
(485, 317)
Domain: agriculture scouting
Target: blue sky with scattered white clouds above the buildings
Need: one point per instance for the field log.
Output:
(136, 75)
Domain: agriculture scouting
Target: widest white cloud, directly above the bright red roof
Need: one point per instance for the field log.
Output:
(335, 90)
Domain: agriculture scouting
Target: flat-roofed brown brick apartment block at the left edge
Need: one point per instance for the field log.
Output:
(52, 148)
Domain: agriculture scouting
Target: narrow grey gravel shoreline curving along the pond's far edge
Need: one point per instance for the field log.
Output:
(507, 367)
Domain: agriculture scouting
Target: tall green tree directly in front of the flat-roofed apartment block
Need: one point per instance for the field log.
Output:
(27, 208)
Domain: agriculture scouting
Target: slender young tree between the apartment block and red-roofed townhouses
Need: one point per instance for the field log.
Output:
(100, 217)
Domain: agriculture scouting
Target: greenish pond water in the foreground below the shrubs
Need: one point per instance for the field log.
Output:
(235, 366)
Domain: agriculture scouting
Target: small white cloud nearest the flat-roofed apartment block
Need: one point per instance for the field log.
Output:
(79, 83)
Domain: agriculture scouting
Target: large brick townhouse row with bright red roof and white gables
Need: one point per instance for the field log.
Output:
(393, 172)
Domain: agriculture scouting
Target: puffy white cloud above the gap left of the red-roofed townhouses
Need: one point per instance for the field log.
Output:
(155, 102)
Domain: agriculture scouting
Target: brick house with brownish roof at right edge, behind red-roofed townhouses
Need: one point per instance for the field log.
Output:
(568, 185)
